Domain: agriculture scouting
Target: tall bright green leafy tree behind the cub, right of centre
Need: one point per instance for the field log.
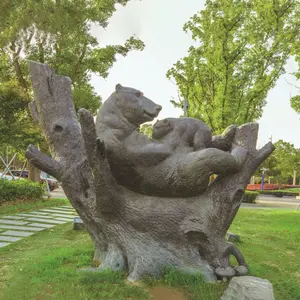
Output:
(240, 52)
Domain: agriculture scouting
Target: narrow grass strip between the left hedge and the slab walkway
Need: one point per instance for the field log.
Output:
(14, 207)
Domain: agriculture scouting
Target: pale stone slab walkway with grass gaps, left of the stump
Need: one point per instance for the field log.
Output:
(16, 227)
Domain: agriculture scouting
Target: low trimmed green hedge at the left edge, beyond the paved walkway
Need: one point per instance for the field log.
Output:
(25, 190)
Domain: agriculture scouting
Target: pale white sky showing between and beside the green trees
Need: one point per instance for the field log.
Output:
(159, 23)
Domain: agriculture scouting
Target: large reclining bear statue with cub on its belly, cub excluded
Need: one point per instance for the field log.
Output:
(151, 167)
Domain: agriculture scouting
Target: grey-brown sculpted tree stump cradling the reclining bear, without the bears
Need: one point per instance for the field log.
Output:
(133, 232)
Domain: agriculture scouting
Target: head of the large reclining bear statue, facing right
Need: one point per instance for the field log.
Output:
(134, 106)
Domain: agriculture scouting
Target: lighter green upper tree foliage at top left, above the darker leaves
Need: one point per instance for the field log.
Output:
(58, 33)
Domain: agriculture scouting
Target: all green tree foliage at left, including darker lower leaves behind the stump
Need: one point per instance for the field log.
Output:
(57, 33)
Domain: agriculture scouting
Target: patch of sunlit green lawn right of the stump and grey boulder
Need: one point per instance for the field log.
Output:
(271, 246)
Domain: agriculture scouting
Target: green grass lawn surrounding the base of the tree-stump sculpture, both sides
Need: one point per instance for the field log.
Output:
(44, 265)
